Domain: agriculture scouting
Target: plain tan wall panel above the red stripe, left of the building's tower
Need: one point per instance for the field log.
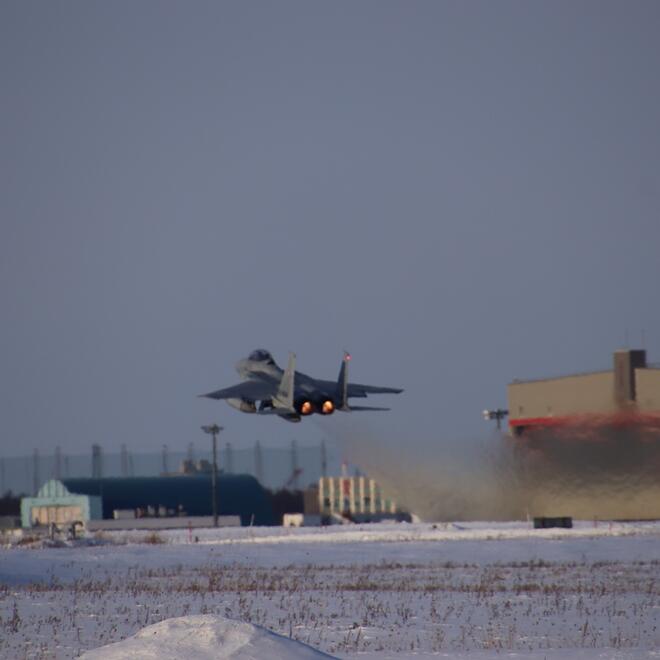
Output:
(570, 395)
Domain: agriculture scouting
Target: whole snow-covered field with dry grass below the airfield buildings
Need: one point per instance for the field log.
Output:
(467, 590)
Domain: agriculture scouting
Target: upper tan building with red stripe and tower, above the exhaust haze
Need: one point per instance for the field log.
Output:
(628, 393)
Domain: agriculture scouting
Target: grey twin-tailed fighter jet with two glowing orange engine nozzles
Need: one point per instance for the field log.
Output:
(289, 394)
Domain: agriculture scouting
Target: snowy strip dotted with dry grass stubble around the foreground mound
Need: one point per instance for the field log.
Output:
(348, 609)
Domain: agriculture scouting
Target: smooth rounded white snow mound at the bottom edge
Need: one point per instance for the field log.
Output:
(203, 637)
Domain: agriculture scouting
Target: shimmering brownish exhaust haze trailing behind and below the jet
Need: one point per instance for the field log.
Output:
(612, 474)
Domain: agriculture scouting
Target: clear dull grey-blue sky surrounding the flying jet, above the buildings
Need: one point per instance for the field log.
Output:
(460, 193)
